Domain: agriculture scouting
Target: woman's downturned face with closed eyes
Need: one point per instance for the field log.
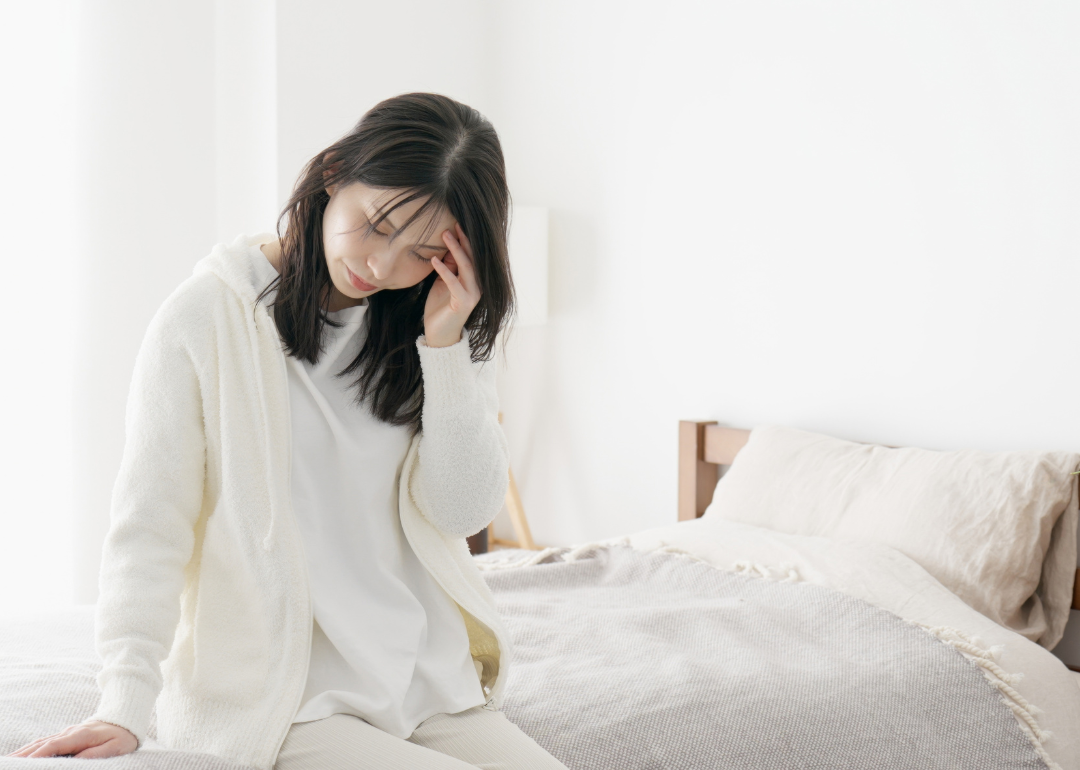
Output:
(362, 264)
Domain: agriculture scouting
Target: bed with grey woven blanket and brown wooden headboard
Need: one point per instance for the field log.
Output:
(710, 643)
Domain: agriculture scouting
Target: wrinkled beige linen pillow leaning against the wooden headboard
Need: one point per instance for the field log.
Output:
(998, 530)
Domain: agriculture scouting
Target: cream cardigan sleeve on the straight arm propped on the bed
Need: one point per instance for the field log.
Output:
(157, 499)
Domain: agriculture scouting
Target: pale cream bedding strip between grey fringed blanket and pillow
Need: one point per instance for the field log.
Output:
(887, 579)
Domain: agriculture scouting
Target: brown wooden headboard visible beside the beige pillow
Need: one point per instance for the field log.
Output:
(704, 447)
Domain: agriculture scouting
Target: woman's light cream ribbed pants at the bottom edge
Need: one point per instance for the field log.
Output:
(476, 738)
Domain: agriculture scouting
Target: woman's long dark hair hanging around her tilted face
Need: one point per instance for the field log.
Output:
(424, 145)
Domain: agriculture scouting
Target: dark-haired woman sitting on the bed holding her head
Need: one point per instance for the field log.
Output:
(313, 434)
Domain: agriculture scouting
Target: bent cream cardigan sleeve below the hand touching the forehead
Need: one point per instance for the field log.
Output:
(463, 474)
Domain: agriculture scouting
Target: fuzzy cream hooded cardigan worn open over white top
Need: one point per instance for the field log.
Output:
(205, 593)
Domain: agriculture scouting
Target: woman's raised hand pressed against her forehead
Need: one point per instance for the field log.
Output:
(455, 295)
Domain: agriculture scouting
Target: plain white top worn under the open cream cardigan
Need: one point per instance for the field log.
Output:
(388, 645)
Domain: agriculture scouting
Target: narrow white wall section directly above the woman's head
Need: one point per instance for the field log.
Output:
(337, 59)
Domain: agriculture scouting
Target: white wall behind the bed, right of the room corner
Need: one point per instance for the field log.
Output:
(856, 219)
